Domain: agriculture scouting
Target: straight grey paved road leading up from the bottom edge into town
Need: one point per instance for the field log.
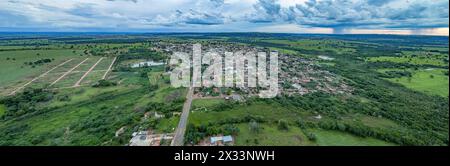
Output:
(178, 139)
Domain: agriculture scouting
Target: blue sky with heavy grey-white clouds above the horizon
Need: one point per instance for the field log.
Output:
(423, 17)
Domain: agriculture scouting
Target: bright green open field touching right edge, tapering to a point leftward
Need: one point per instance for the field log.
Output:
(433, 82)
